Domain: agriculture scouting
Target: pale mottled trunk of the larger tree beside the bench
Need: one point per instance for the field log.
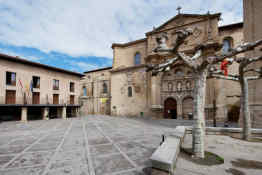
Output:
(199, 113)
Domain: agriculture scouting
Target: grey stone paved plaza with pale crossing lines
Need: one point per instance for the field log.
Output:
(100, 145)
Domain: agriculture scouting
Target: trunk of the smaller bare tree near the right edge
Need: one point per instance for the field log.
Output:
(245, 109)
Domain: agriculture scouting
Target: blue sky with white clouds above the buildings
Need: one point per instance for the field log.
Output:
(78, 34)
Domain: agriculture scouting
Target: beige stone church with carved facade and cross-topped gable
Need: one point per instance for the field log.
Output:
(126, 89)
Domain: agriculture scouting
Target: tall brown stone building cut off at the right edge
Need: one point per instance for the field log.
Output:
(253, 32)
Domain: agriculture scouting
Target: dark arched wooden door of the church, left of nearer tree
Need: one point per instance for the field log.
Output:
(170, 109)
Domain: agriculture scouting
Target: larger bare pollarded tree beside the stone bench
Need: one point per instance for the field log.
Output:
(200, 64)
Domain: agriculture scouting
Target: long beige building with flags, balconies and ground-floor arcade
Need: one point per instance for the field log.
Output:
(29, 90)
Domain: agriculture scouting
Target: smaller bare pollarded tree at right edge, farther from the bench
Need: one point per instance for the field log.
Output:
(243, 81)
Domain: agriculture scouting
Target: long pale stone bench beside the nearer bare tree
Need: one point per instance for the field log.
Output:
(164, 158)
